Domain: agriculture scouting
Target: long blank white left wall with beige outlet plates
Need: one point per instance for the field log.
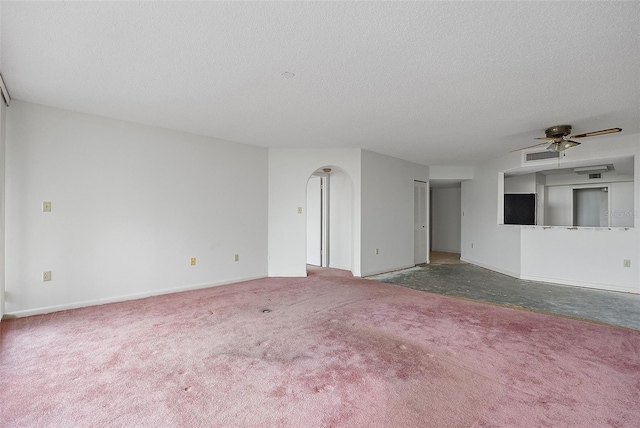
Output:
(131, 205)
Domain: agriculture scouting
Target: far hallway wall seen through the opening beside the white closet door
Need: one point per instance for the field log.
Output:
(445, 219)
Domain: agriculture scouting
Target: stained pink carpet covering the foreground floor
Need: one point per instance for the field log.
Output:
(324, 351)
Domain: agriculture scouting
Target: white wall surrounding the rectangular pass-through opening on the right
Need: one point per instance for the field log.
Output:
(590, 257)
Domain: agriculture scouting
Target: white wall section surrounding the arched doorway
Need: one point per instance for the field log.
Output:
(289, 170)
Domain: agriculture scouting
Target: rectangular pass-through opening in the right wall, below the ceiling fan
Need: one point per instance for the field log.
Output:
(586, 194)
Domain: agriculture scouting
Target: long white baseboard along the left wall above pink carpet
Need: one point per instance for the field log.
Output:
(123, 298)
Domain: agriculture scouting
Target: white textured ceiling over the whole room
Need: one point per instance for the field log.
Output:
(438, 83)
